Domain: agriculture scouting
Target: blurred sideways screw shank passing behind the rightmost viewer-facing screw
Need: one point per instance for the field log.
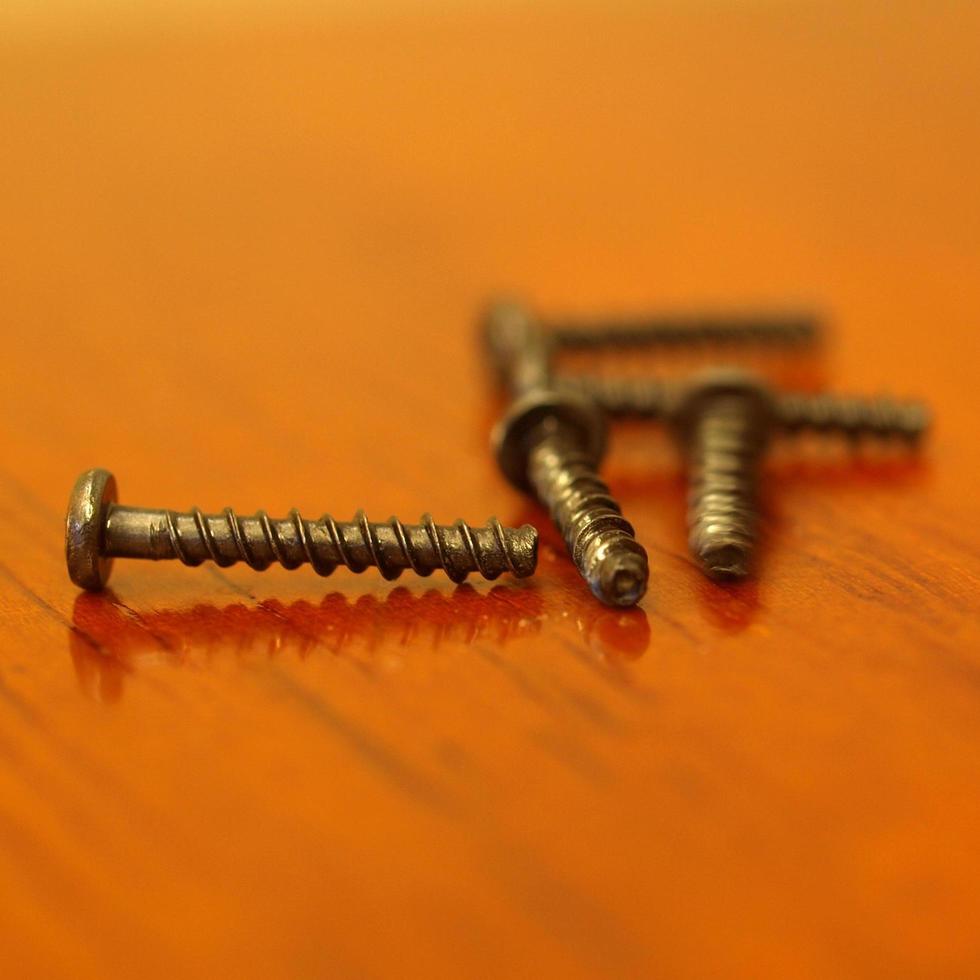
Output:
(645, 398)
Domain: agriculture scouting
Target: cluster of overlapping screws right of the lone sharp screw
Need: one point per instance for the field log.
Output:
(723, 420)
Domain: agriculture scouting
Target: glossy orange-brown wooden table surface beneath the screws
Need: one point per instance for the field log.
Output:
(241, 263)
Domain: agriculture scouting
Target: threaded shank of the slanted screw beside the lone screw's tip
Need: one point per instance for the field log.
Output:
(599, 539)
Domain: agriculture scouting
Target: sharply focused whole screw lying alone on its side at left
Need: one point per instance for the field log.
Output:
(98, 530)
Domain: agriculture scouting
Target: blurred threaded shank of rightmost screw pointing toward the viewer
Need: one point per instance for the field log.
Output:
(724, 455)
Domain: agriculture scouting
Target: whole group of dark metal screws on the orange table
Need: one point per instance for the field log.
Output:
(549, 445)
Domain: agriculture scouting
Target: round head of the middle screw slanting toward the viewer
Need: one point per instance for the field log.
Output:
(534, 416)
